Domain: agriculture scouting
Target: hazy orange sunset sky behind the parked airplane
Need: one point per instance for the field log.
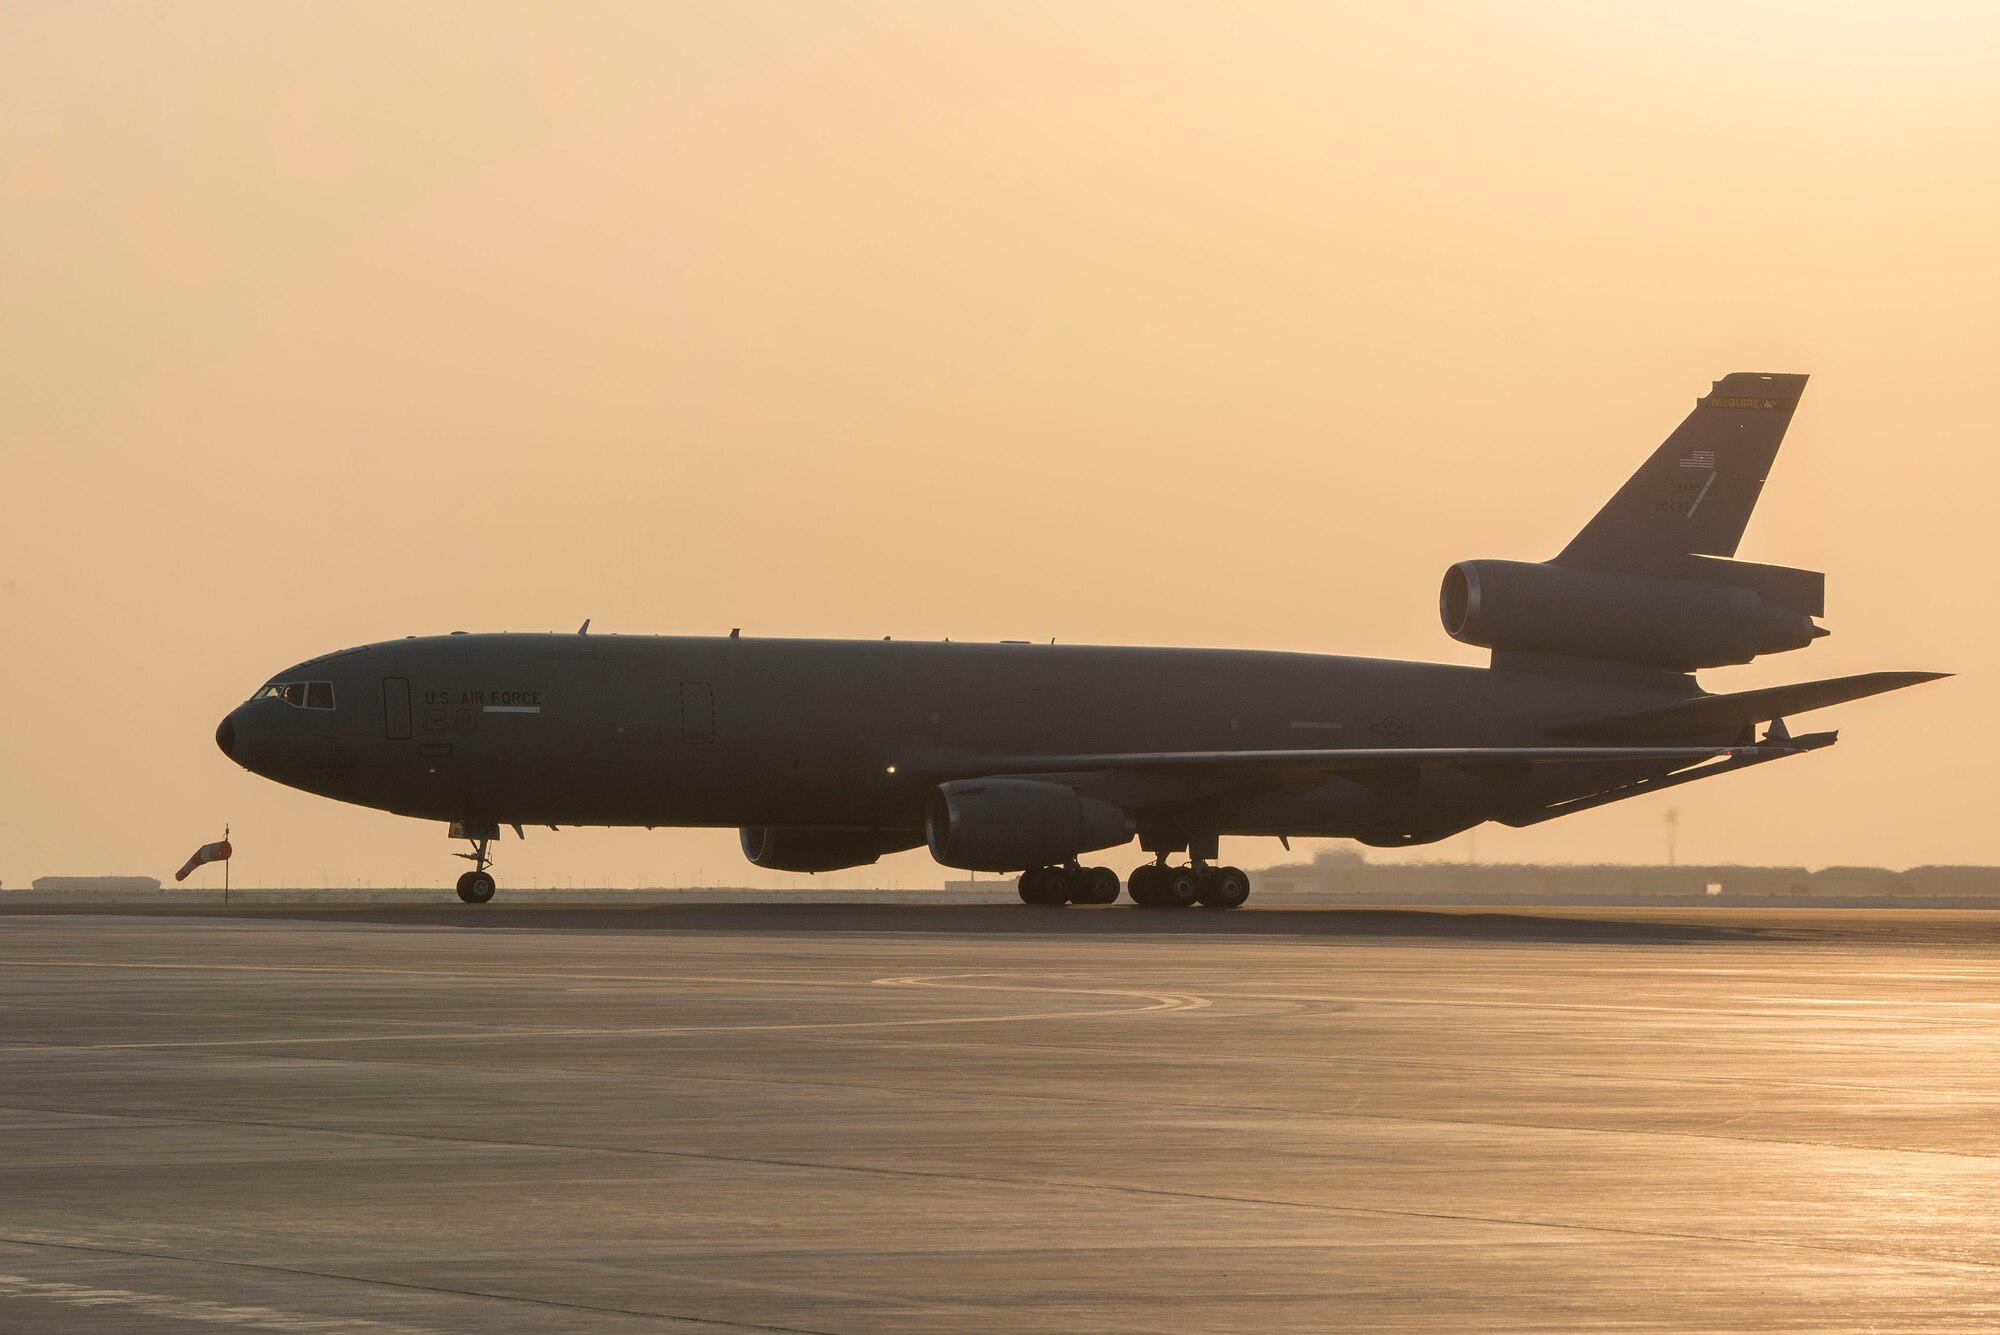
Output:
(1113, 323)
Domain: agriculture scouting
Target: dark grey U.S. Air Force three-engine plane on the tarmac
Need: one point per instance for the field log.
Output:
(1025, 758)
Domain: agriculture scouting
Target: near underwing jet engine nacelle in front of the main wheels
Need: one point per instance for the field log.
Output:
(1017, 824)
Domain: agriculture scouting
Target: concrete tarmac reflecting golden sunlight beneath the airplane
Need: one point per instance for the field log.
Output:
(995, 1118)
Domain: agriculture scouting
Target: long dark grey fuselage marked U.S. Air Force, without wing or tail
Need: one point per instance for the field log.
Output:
(639, 730)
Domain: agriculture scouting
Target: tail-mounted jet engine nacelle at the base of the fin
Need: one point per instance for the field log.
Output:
(1679, 625)
